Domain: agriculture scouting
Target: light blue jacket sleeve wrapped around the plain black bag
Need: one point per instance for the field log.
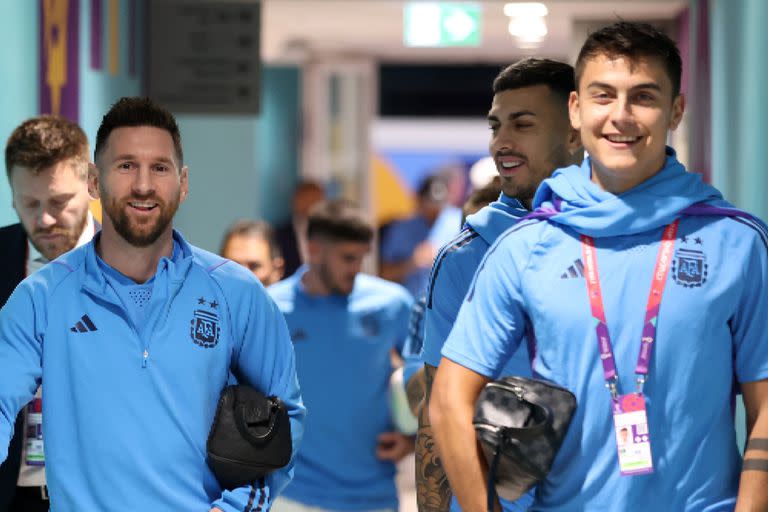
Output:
(265, 360)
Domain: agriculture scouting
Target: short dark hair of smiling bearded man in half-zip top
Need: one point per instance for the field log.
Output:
(135, 111)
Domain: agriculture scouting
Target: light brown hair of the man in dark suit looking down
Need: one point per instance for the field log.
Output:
(42, 141)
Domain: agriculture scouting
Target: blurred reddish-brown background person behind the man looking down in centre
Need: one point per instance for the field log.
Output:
(291, 236)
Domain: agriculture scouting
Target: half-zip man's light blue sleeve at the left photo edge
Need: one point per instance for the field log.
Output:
(21, 351)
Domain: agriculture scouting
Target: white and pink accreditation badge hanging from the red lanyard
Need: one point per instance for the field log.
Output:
(633, 441)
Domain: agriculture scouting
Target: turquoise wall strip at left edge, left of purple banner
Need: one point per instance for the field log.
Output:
(18, 87)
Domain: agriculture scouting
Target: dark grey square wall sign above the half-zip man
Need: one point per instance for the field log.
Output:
(204, 55)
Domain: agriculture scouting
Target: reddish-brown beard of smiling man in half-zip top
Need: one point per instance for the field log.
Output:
(144, 232)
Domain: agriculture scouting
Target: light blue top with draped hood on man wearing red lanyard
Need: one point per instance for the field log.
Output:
(712, 333)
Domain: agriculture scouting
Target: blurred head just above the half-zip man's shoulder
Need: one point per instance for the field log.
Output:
(251, 243)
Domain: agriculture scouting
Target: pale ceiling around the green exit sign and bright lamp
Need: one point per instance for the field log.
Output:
(300, 29)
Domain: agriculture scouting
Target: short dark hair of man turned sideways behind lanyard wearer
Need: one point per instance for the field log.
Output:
(558, 76)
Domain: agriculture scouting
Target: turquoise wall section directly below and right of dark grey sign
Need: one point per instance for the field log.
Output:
(242, 166)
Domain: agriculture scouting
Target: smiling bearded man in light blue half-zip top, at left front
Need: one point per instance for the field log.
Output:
(135, 335)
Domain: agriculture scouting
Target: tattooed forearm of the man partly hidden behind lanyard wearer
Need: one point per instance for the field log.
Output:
(433, 492)
